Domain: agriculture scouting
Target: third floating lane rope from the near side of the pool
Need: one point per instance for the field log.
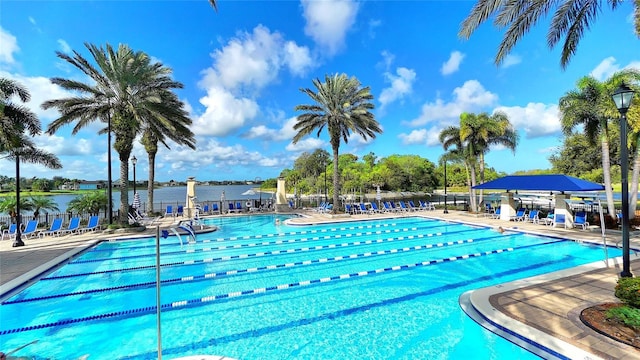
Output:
(243, 256)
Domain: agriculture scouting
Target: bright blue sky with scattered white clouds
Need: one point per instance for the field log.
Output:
(242, 69)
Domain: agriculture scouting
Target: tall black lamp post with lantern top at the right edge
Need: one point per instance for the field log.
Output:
(622, 97)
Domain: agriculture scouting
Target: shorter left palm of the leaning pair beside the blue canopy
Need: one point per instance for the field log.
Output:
(457, 149)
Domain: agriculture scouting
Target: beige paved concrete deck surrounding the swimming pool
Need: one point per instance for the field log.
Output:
(545, 308)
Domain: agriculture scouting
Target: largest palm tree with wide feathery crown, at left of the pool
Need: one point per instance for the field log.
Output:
(126, 92)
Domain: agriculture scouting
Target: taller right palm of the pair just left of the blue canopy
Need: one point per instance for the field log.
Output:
(482, 131)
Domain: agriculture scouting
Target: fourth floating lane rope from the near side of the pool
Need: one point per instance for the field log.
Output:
(266, 243)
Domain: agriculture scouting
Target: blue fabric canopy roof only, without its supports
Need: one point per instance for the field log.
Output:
(540, 183)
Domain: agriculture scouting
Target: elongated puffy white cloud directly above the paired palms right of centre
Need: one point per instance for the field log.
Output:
(471, 96)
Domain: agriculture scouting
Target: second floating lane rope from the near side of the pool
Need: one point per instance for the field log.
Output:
(262, 268)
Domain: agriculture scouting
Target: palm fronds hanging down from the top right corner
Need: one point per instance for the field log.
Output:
(570, 20)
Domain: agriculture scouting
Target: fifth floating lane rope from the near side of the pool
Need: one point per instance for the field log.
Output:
(304, 232)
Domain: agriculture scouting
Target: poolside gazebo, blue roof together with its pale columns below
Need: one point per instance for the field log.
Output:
(555, 183)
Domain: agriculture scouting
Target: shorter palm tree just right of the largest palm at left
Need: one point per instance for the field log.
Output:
(157, 130)
